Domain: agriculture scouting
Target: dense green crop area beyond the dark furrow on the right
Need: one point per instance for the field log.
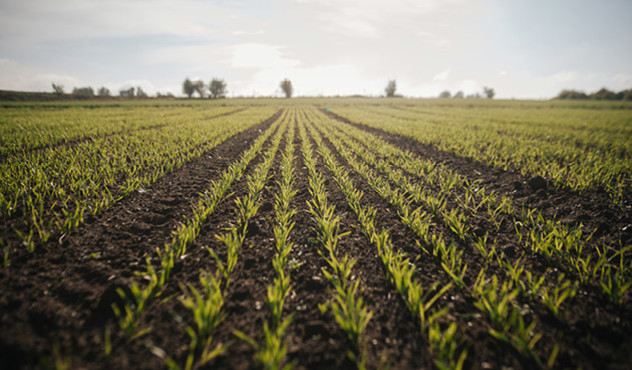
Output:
(541, 144)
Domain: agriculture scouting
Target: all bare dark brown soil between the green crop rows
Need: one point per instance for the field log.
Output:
(56, 303)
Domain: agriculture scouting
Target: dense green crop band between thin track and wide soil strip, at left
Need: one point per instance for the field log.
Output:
(51, 191)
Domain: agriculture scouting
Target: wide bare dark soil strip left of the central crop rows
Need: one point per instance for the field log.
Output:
(67, 285)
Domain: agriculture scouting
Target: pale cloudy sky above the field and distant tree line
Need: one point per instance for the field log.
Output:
(521, 49)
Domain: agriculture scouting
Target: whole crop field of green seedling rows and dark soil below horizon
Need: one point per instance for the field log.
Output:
(316, 233)
